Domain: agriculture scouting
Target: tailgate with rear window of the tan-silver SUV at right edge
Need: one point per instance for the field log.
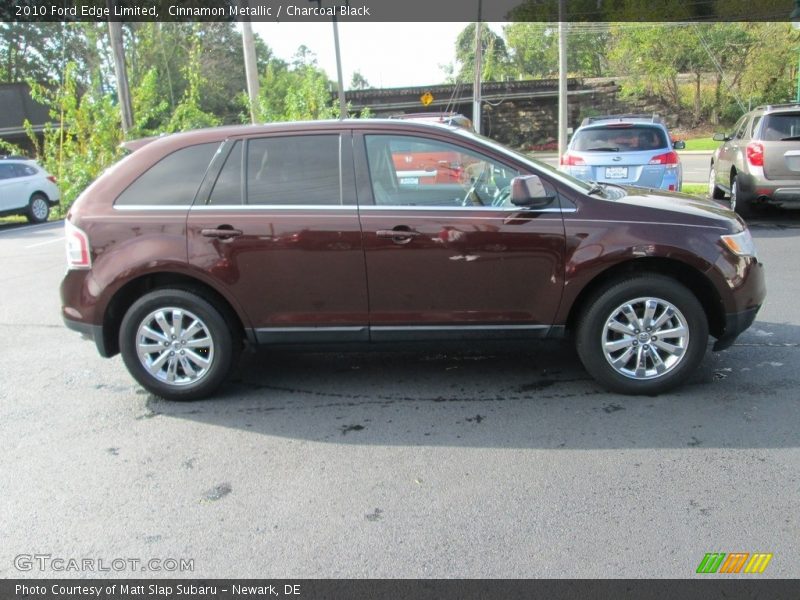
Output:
(780, 134)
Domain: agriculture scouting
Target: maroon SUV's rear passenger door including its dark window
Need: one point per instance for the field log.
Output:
(277, 228)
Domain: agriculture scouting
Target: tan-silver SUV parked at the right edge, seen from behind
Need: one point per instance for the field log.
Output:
(759, 161)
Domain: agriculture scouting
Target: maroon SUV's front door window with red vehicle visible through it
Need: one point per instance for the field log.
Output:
(414, 171)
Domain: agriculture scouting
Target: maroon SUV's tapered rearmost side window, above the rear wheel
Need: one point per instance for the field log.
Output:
(172, 181)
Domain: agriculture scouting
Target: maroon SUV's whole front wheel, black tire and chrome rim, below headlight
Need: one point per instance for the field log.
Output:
(595, 334)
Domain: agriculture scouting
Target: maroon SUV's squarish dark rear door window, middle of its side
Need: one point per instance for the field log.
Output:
(294, 170)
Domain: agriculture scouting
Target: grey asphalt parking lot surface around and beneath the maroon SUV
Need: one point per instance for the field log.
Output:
(474, 464)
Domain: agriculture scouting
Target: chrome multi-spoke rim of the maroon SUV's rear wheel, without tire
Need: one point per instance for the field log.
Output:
(175, 346)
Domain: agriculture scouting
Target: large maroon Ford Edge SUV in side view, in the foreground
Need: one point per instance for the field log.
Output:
(305, 233)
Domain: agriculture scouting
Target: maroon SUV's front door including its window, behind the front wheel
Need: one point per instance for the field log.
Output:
(448, 256)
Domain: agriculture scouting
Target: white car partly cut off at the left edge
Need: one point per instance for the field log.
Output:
(26, 189)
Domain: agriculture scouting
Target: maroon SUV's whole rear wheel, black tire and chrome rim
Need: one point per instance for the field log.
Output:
(215, 342)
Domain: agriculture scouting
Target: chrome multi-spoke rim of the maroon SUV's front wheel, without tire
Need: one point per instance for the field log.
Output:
(645, 338)
